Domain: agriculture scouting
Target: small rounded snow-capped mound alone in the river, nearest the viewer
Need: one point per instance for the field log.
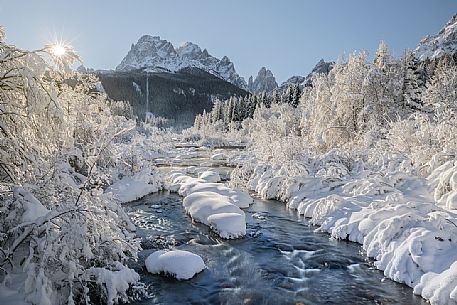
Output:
(183, 265)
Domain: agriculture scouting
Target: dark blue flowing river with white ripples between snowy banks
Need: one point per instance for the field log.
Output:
(281, 260)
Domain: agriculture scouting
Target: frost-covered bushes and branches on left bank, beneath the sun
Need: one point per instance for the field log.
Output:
(60, 148)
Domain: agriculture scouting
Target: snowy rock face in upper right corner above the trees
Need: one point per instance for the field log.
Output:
(445, 42)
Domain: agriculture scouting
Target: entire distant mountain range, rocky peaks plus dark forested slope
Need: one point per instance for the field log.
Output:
(185, 80)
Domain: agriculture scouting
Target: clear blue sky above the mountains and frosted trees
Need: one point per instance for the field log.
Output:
(286, 36)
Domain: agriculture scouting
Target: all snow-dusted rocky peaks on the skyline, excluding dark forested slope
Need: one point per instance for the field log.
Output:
(153, 54)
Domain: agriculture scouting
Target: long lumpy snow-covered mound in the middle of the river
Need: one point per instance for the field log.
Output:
(212, 204)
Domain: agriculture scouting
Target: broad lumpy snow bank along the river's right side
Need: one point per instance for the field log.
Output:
(389, 211)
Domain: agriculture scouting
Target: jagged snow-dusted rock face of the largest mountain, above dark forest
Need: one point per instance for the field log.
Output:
(157, 55)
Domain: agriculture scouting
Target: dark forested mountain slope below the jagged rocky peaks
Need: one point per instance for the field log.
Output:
(176, 96)
